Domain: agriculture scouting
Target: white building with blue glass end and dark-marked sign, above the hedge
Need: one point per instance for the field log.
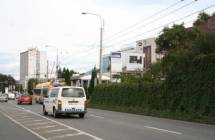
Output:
(132, 59)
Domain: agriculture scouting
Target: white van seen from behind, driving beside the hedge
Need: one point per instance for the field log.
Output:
(65, 100)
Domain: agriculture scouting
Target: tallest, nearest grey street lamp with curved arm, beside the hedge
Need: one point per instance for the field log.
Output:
(101, 42)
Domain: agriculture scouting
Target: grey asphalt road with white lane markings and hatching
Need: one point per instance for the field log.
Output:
(100, 124)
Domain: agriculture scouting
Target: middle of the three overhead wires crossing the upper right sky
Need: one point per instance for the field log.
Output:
(160, 17)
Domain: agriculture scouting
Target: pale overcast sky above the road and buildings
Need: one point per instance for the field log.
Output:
(58, 23)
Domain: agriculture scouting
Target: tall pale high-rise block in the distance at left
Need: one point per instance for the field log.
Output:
(33, 64)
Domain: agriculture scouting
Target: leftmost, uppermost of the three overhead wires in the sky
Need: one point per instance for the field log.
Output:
(143, 20)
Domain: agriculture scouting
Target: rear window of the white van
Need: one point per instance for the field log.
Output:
(72, 92)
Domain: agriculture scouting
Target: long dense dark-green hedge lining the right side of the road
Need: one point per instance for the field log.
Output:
(185, 94)
